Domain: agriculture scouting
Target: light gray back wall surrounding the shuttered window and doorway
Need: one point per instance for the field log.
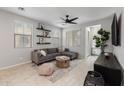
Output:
(105, 23)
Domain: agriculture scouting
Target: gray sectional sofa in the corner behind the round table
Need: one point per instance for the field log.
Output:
(38, 58)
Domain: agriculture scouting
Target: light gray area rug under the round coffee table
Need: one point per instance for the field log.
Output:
(61, 72)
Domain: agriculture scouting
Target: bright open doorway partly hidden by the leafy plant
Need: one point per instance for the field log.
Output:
(90, 44)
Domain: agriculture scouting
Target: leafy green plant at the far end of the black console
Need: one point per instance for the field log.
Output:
(101, 39)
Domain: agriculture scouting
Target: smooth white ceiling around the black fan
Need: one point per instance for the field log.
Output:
(51, 15)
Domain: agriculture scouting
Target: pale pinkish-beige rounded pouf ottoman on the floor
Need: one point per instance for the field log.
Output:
(46, 69)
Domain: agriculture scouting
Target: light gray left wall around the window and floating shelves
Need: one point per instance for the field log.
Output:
(10, 55)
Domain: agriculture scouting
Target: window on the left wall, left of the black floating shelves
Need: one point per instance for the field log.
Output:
(23, 35)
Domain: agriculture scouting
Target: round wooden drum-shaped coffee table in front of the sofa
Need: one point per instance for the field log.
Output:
(62, 61)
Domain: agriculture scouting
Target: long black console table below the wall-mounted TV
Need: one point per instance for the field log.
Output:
(110, 69)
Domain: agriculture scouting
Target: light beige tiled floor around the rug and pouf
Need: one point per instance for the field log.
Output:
(27, 75)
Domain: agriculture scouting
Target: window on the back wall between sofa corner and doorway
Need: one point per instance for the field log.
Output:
(73, 38)
